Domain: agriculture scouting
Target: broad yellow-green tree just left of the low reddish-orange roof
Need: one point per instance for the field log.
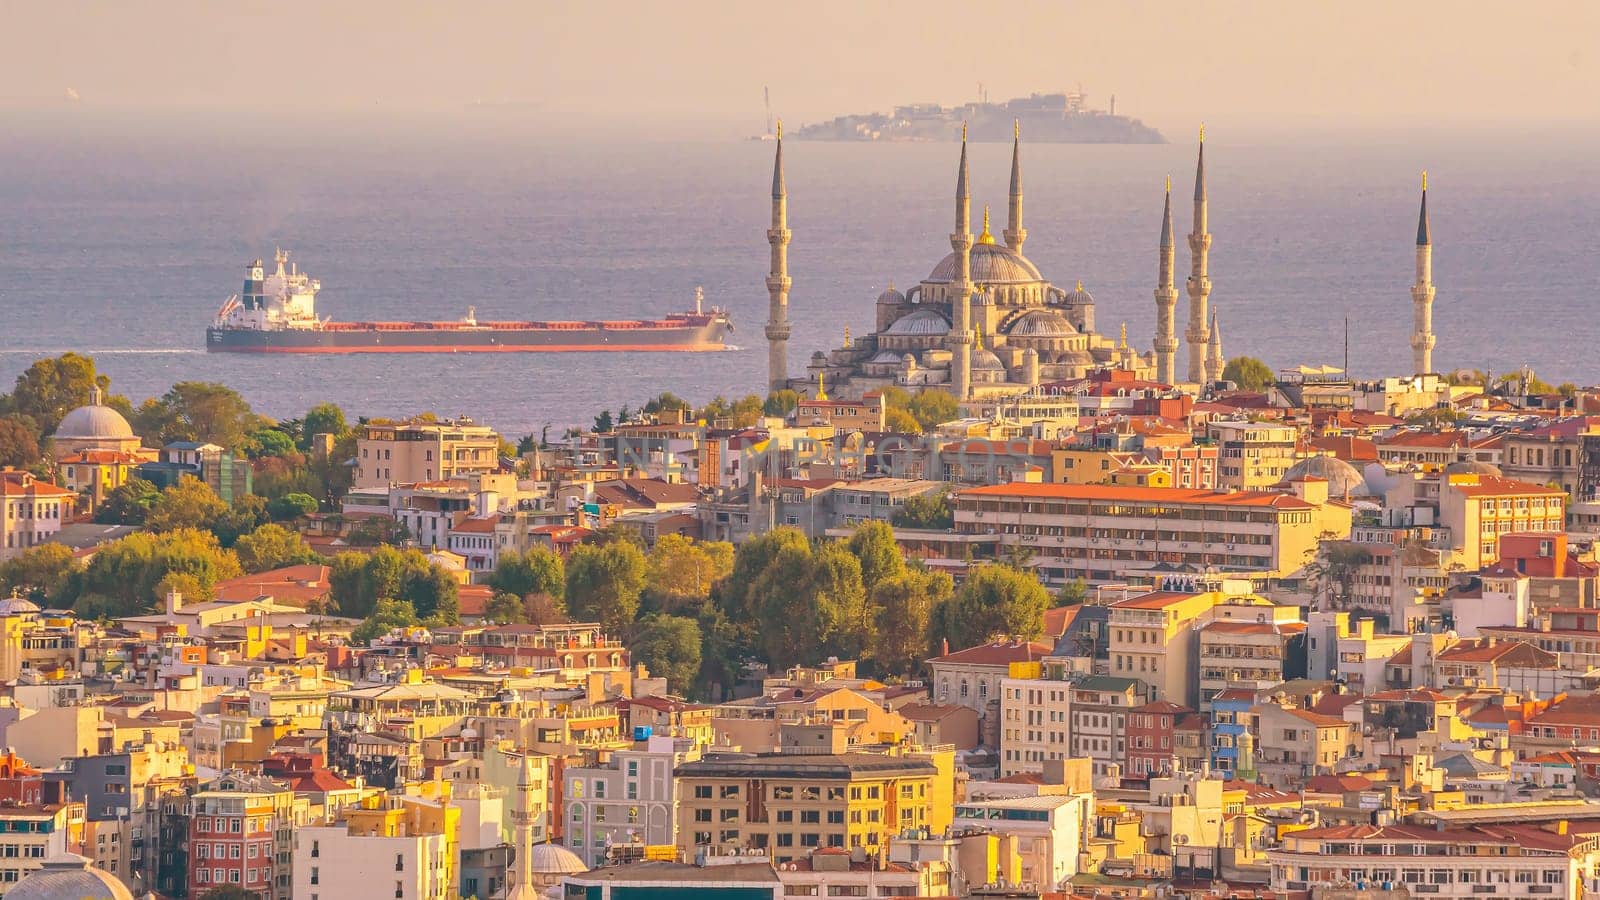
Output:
(124, 574)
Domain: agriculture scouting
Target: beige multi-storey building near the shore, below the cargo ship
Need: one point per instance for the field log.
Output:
(423, 452)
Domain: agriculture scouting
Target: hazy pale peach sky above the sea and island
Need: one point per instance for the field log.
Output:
(1252, 63)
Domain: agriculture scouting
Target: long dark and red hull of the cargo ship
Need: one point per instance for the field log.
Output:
(351, 339)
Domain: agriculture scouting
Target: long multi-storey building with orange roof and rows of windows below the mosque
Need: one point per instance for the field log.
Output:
(1105, 534)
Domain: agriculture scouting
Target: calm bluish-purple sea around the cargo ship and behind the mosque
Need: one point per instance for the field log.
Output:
(121, 238)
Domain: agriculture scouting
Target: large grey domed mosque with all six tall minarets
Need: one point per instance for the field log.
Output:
(988, 324)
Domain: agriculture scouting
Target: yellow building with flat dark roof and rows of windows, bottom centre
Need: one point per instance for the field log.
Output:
(791, 805)
